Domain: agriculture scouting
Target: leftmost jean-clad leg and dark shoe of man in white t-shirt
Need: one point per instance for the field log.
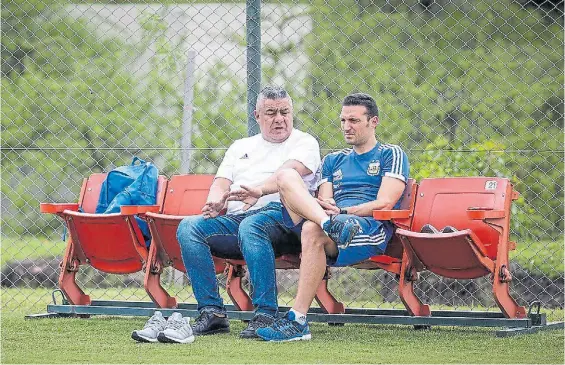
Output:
(195, 235)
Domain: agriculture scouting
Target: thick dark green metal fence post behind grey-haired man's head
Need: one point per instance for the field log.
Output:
(253, 11)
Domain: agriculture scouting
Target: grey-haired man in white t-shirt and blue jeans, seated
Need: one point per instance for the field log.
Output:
(254, 233)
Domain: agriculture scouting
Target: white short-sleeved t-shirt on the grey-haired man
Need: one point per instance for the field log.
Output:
(250, 161)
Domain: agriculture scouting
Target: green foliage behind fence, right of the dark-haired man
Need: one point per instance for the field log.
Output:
(475, 73)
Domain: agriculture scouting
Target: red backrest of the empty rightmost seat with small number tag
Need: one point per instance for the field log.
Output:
(444, 201)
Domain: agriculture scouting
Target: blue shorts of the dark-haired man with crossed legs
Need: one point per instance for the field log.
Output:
(371, 240)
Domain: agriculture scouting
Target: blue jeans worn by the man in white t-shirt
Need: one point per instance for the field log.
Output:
(257, 236)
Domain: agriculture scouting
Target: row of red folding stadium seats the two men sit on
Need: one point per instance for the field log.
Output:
(478, 207)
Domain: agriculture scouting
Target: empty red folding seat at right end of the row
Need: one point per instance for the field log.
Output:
(479, 207)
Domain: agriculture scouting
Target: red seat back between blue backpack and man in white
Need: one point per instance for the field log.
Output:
(187, 194)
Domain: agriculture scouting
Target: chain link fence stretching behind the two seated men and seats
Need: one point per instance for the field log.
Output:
(466, 88)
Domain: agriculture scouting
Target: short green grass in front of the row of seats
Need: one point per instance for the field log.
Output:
(107, 340)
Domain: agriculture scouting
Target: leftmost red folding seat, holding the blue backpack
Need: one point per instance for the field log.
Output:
(112, 243)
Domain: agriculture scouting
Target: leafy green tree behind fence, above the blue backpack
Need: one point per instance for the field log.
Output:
(70, 107)
